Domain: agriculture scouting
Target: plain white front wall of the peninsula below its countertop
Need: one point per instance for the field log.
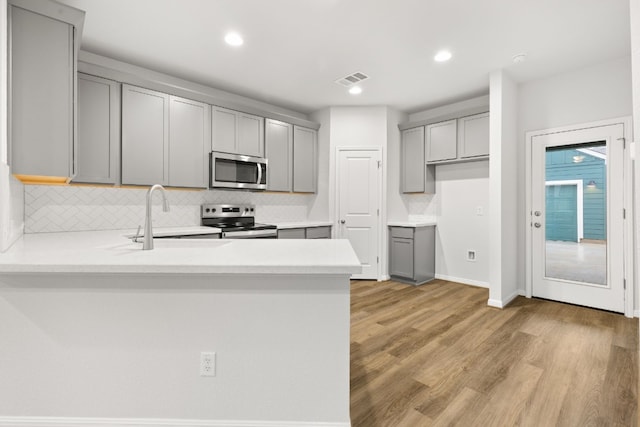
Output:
(129, 347)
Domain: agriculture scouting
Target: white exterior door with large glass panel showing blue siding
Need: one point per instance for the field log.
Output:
(577, 217)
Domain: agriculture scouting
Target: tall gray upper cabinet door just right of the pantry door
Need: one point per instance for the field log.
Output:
(413, 161)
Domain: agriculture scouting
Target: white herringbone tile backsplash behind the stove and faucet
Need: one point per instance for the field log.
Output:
(78, 208)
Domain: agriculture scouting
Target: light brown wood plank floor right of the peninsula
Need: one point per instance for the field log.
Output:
(436, 355)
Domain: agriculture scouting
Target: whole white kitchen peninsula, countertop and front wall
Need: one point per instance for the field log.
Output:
(93, 326)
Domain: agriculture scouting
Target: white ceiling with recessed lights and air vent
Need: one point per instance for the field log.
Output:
(294, 50)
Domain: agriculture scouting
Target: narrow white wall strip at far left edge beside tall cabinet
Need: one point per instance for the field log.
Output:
(11, 191)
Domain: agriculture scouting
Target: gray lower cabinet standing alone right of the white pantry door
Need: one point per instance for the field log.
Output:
(412, 254)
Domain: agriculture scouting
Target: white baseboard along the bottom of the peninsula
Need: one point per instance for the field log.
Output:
(150, 422)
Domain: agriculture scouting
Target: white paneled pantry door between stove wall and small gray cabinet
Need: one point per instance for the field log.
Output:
(358, 191)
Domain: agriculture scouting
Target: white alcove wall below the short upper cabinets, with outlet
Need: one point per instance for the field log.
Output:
(461, 190)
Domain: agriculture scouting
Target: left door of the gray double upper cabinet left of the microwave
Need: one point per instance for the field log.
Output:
(145, 131)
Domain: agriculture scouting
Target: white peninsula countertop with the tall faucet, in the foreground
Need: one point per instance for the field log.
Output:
(111, 252)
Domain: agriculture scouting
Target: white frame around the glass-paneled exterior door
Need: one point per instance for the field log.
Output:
(628, 226)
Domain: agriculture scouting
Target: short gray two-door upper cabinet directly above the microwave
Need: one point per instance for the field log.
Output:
(237, 133)
